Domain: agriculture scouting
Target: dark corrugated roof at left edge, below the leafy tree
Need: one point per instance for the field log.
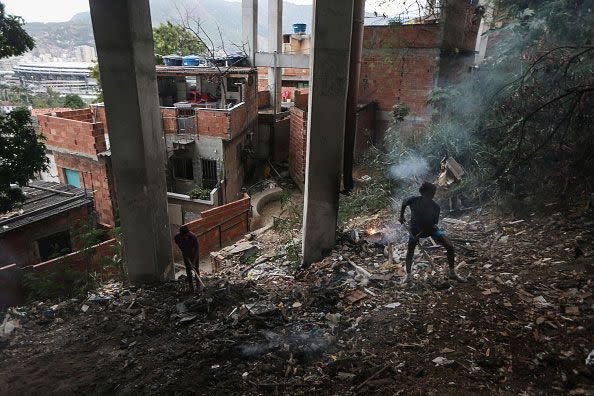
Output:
(44, 199)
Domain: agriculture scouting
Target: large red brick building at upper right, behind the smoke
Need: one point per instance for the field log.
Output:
(402, 64)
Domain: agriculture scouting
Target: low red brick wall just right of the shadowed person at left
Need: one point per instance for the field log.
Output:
(222, 224)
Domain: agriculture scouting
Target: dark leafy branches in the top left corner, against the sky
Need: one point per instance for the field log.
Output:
(14, 40)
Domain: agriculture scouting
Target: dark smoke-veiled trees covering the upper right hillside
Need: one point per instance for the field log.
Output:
(521, 124)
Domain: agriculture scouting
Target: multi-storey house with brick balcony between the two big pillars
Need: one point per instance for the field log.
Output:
(209, 121)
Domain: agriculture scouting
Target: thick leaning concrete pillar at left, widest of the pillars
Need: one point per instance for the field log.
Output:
(124, 40)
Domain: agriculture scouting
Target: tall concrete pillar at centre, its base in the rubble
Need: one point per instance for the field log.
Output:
(329, 63)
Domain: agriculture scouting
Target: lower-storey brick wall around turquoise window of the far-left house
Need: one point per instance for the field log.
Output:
(93, 175)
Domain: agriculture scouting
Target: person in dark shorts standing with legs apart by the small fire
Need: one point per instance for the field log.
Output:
(423, 224)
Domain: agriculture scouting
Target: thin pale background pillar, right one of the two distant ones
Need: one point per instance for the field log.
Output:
(275, 45)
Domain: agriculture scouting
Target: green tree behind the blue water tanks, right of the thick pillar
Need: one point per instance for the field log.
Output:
(174, 39)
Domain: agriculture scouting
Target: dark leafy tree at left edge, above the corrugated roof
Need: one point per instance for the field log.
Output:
(22, 155)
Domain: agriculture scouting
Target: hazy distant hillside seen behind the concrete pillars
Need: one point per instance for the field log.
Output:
(51, 37)
